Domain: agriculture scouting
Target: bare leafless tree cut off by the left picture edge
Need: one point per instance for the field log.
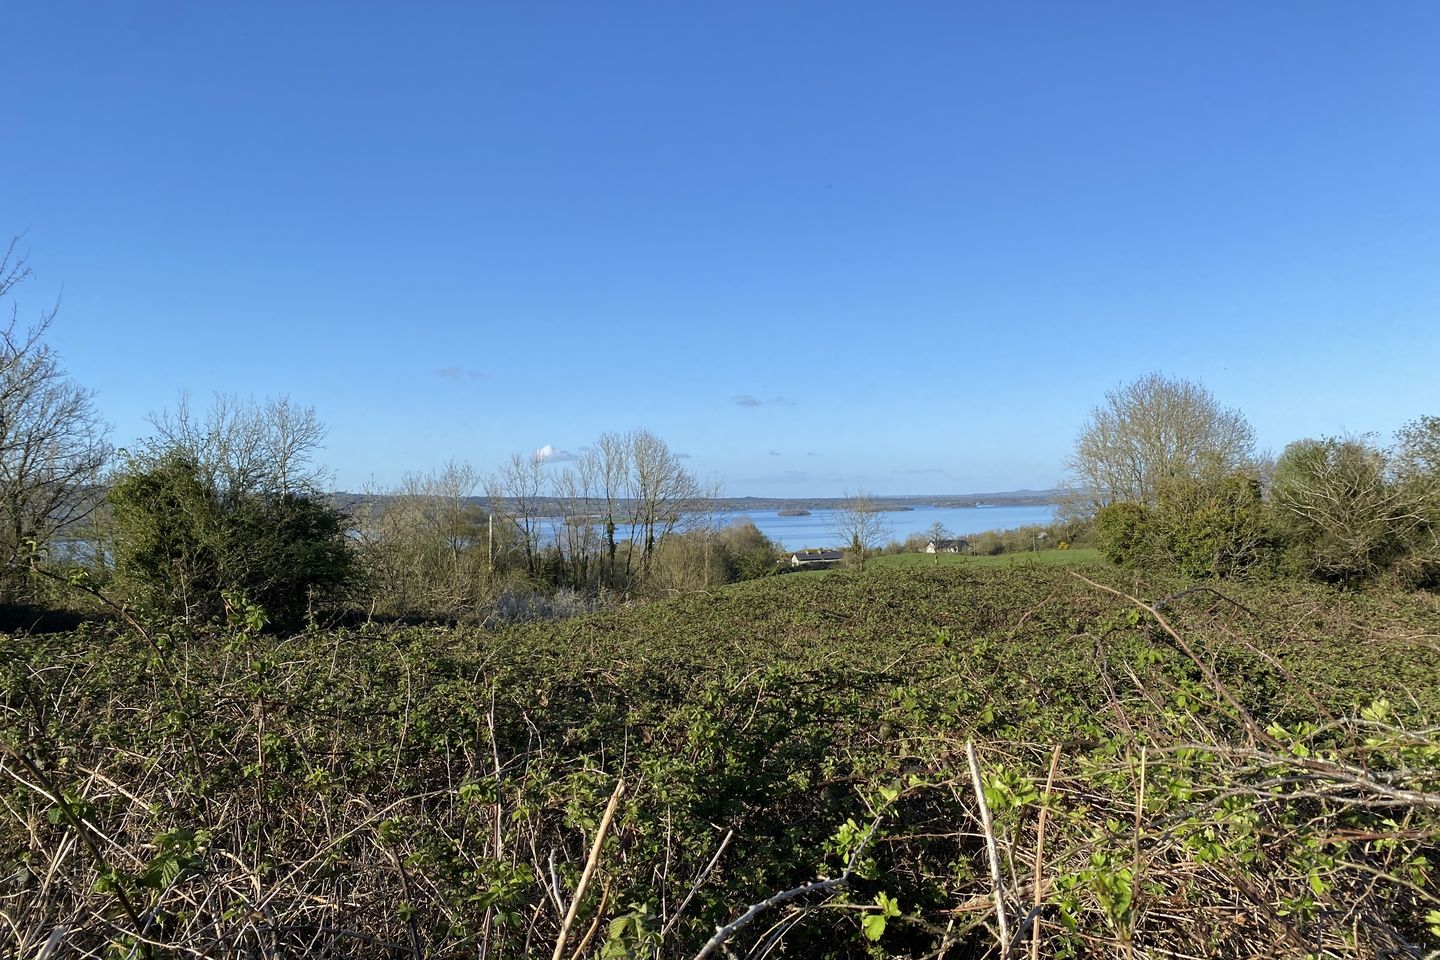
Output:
(53, 441)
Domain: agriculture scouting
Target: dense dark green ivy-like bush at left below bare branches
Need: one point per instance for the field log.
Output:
(182, 545)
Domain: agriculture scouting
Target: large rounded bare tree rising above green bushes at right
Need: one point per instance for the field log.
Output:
(1151, 431)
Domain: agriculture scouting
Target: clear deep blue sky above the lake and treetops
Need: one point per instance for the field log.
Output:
(816, 247)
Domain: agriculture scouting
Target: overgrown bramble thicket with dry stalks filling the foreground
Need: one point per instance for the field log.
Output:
(1200, 775)
